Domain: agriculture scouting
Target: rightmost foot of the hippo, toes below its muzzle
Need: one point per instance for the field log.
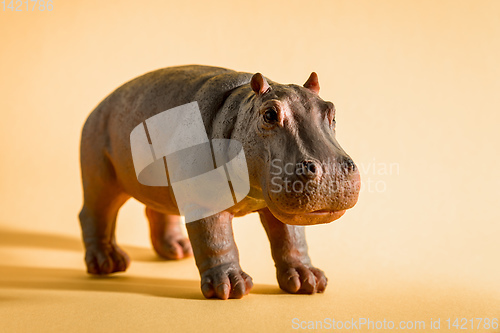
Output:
(298, 278)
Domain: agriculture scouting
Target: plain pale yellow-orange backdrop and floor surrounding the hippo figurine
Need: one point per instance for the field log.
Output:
(416, 88)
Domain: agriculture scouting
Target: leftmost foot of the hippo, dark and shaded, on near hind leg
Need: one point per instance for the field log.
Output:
(106, 259)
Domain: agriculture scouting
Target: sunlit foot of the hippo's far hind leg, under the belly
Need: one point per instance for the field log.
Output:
(173, 246)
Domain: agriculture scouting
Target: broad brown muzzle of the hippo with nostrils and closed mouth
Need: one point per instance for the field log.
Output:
(312, 192)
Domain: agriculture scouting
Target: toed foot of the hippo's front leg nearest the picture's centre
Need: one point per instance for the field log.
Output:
(225, 281)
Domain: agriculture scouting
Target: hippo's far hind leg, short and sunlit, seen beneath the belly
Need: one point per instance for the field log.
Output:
(167, 238)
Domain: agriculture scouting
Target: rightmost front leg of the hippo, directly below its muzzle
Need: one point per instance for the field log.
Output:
(294, 270)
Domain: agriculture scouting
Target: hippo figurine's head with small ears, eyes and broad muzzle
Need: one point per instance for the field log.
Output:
(304, 176)
